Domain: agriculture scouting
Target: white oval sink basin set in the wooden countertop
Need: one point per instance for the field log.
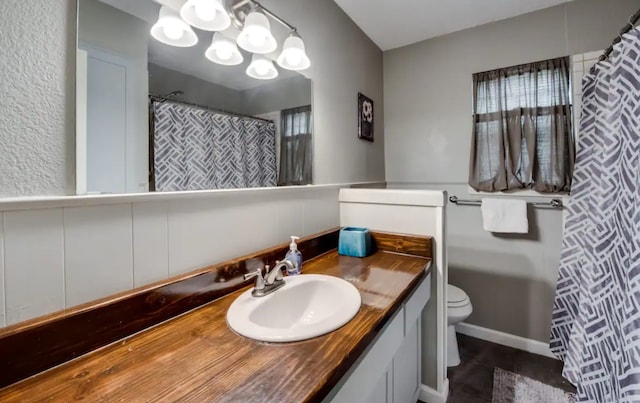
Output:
(308, 305)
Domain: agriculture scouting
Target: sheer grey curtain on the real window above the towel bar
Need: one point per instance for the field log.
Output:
(522, 136)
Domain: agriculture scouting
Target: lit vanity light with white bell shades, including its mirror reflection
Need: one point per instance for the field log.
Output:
(177, 16)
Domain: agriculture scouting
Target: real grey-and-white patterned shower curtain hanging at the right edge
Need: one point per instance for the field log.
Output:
(596, 320)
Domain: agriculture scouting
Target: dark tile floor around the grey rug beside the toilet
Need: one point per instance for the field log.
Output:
(472, 380)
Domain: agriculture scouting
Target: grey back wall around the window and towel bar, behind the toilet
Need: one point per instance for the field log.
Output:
(427, 94)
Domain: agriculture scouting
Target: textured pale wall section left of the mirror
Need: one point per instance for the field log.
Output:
(37, 155)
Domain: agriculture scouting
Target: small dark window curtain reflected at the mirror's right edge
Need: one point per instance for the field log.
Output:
(296, 146)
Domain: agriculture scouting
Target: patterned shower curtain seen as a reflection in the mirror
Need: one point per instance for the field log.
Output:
(197, 149)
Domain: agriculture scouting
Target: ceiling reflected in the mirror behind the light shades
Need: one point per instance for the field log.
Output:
(191, 60)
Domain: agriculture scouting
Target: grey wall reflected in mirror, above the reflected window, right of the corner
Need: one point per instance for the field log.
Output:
(277, 95)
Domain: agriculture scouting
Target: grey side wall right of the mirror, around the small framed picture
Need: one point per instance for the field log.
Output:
(343, 61)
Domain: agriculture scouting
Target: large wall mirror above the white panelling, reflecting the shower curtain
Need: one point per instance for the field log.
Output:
(186, 108)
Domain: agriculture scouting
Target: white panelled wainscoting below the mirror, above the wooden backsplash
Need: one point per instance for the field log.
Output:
(61, 253)
